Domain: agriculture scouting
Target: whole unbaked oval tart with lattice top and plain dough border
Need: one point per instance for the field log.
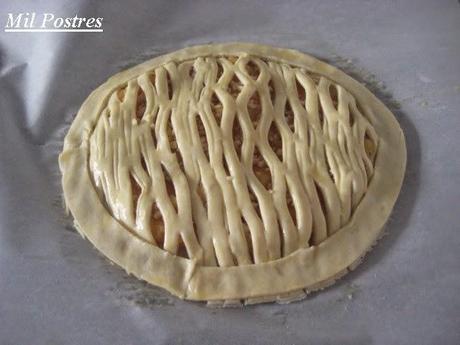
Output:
(233, 171)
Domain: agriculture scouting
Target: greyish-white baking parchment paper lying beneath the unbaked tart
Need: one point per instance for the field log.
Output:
(56, 289)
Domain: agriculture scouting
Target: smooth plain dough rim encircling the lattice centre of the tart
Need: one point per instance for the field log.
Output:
(311, 268)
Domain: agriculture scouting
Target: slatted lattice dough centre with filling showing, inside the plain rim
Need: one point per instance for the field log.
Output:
(232, 160)
